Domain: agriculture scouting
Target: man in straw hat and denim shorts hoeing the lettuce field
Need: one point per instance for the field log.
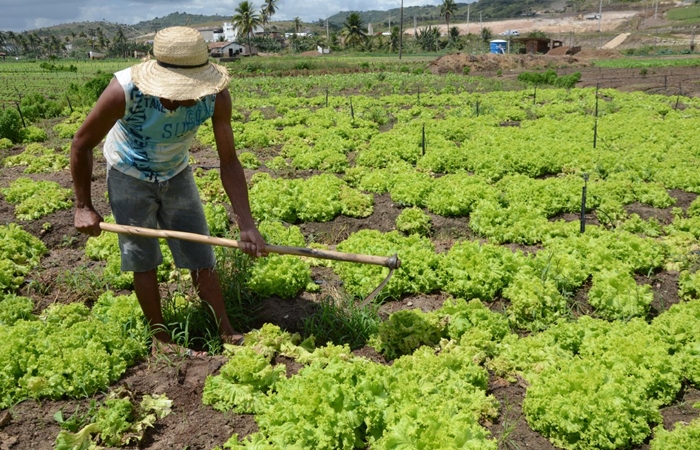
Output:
(150, 114)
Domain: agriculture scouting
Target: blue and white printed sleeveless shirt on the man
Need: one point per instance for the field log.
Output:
(151, 142)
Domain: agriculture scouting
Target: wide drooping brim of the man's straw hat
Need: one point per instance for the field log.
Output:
(179, 84)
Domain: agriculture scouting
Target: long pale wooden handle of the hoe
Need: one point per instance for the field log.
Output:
(392, 262)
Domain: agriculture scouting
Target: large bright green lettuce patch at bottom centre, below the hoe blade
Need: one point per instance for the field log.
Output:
(340, 401)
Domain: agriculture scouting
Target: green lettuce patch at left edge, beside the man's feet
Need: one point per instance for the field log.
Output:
(70, 351)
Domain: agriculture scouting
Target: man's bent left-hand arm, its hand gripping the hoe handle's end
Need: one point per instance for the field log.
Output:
(109, 108)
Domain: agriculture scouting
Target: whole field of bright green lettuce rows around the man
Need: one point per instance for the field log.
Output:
(548, 297)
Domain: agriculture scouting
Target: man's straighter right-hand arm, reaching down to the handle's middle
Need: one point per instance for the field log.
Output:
(233, 177)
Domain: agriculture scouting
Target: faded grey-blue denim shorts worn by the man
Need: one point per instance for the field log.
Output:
(169, 205)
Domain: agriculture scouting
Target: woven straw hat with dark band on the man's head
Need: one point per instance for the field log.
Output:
(181, 69)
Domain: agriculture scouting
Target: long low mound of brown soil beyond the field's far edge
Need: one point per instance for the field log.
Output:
(456, 62)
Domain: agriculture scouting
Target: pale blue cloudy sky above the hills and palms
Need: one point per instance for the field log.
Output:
(25, 15)
